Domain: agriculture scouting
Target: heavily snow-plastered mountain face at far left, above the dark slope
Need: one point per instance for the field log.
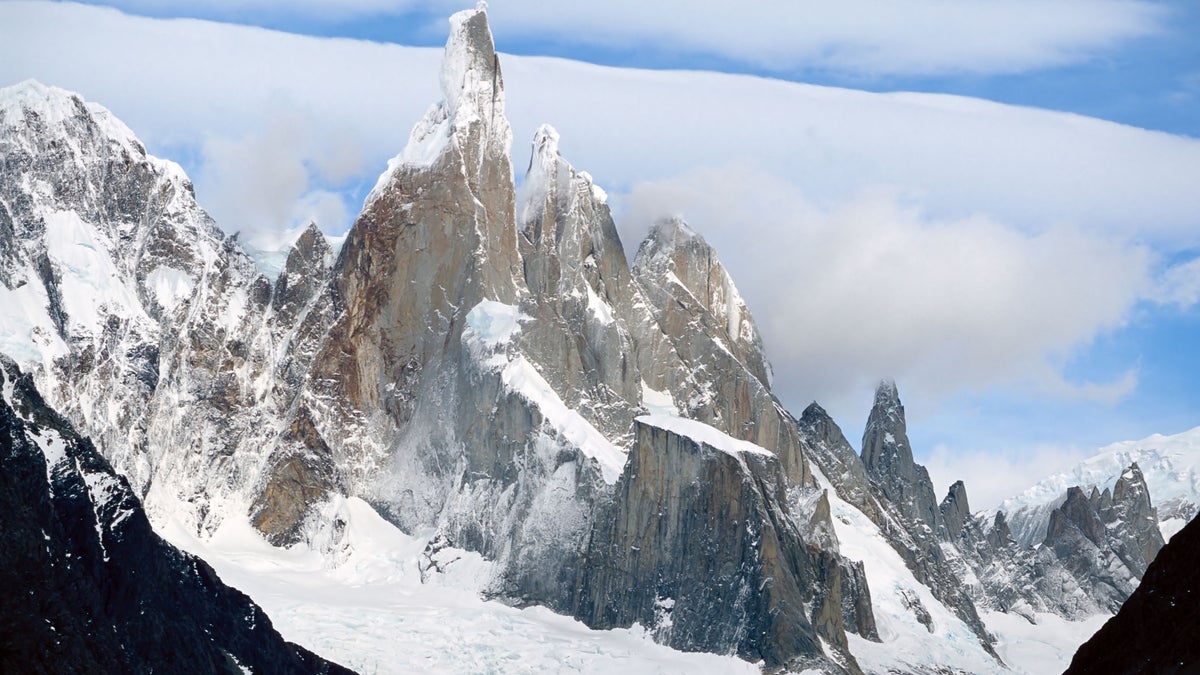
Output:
(140, 319)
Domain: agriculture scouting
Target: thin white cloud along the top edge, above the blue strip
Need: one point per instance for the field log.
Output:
(855, 37)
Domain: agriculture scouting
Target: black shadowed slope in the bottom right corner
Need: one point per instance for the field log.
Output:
(1156, 629)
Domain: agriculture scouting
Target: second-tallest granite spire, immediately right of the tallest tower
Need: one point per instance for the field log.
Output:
(584, 303)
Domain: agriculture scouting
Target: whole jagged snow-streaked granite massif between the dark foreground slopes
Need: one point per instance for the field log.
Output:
(483, 378)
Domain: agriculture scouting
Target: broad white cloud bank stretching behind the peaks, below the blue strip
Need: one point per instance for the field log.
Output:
(946, 242)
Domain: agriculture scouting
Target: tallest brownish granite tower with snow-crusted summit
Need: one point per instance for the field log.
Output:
(435, 240)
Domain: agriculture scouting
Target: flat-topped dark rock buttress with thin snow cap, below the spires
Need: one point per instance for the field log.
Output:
(701, 546)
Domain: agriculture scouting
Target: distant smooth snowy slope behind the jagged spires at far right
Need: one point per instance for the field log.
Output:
(1169, 464)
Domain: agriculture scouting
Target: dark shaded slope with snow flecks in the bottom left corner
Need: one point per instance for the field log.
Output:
(91, 586)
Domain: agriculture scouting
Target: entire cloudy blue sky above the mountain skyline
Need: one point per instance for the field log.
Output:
(1083, 332)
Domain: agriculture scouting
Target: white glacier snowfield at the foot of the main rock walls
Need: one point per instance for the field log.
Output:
(367, 607)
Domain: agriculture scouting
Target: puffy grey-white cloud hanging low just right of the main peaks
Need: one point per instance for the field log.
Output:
(875, 286)
